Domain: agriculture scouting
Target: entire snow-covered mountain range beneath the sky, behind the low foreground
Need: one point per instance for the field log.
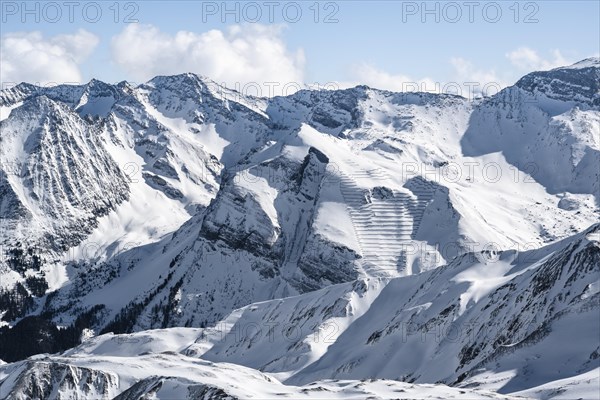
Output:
(180, 203)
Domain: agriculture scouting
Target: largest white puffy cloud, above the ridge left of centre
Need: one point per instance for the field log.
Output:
(241, 55)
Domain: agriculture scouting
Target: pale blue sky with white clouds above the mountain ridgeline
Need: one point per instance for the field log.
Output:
(380, 43)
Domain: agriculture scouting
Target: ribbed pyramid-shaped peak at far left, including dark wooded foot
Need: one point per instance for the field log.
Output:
(57, 182)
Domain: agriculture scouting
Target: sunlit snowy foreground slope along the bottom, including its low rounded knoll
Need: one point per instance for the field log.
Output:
(148, 365)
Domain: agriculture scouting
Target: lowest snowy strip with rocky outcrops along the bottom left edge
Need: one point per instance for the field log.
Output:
(192, 379)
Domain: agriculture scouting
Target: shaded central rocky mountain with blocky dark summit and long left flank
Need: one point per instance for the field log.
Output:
(254, 242)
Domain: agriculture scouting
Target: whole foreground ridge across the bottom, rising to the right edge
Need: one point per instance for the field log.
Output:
(487, 325)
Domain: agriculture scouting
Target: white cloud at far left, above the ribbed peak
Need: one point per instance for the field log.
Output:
(29, 57)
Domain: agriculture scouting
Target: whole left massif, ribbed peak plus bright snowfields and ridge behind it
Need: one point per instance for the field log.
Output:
(163, 173)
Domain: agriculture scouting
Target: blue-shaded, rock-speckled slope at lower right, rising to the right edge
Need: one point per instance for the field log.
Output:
(543, 293)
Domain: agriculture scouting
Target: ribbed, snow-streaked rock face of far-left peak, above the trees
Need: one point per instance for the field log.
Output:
(68, 178)
